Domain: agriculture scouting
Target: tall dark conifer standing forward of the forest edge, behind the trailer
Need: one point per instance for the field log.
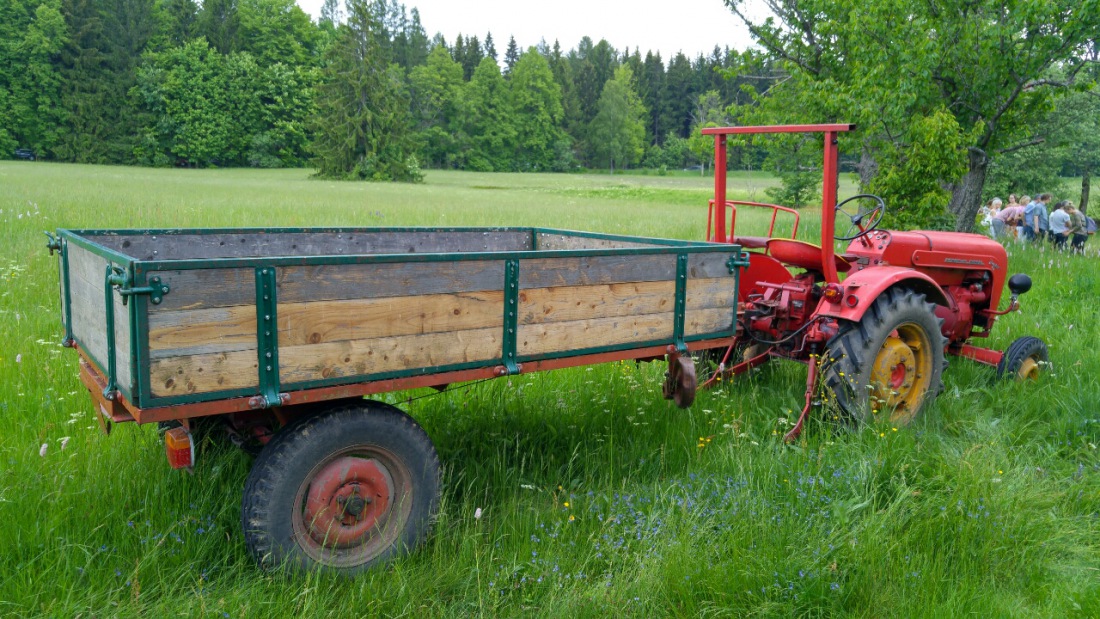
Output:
(362, 126)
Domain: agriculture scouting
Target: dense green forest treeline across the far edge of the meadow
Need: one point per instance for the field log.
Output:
(252, 83)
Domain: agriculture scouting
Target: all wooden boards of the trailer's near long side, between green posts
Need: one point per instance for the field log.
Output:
(350, 320)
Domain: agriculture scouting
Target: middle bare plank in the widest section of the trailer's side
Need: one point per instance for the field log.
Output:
(364, 319)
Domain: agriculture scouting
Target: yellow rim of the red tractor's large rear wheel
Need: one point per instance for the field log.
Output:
(901, 373)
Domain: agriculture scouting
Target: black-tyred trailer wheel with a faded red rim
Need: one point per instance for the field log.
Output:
(342, 491)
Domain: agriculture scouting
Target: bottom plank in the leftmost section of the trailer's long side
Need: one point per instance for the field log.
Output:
(202, 374)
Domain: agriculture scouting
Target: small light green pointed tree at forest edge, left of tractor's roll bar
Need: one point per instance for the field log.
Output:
(619, 131)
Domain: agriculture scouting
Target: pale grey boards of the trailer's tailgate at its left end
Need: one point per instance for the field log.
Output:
(87, 273)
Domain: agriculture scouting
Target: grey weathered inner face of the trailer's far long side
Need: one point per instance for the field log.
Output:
(277, 245)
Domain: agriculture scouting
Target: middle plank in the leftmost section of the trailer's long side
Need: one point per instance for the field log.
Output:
(202, 331)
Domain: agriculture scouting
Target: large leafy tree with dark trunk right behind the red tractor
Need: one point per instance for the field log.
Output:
(893, 65)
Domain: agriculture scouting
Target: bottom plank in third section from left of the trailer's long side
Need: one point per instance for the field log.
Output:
(549, 339)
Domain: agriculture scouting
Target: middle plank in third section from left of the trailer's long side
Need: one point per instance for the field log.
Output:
(567, 304)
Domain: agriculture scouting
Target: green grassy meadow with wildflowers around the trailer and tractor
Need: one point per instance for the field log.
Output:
(598, 498)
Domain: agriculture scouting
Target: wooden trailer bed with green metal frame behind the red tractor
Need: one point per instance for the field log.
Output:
(178, 324)
